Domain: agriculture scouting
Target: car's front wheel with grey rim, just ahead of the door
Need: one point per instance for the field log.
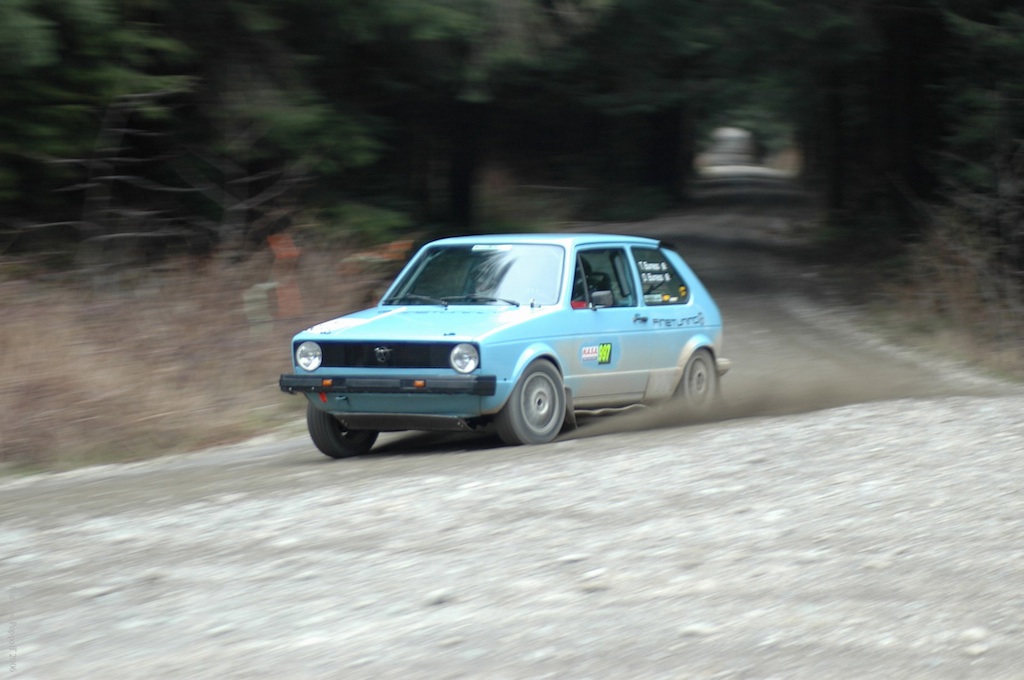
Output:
(536, 411)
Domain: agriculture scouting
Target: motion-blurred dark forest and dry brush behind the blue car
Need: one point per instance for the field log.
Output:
(185, 185)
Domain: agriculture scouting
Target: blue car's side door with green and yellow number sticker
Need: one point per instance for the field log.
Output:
(610, 365)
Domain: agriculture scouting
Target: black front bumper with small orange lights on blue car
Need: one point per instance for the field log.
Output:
(476, 386)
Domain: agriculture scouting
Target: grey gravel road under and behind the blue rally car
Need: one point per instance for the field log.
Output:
(856, 511)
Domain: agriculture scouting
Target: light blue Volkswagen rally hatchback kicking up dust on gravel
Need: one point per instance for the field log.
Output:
(517, 332)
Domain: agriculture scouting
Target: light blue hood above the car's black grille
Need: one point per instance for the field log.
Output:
(456, 323)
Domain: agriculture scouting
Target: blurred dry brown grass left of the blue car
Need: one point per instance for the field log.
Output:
(169, 362)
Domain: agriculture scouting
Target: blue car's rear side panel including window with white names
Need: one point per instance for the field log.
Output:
(674, 317)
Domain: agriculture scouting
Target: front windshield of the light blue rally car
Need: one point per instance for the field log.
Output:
(484, 275)
